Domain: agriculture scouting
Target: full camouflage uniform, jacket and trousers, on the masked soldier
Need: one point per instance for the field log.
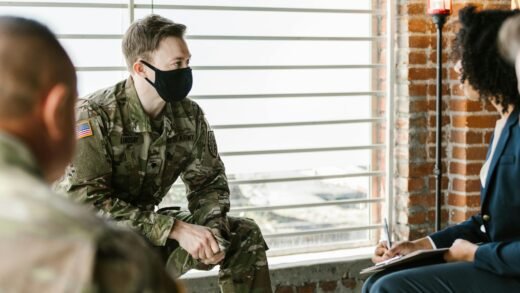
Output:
(130, 161)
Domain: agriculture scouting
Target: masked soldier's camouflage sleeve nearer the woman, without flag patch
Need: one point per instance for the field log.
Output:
(206, 181)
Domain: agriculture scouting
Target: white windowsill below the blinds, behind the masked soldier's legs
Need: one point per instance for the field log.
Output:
(299, 260)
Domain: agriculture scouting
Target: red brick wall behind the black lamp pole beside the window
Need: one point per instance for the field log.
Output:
(467, 125)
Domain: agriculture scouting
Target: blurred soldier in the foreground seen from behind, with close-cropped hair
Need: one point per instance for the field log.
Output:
(48, 243)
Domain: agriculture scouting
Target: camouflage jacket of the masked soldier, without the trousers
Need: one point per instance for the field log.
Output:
(124, 167)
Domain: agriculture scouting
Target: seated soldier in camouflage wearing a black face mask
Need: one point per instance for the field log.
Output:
(138, 137)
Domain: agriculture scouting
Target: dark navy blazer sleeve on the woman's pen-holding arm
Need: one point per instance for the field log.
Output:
(467, 230)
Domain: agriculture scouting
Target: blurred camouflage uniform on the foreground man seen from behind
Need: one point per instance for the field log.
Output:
(50, 244)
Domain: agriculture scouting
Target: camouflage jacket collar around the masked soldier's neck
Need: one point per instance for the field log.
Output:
(137, 118)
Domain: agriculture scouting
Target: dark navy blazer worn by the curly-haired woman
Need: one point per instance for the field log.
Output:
(499, 209)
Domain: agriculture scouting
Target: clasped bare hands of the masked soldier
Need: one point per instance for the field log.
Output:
(197, 240)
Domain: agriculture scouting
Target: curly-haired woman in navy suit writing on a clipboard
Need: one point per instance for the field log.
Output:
(484, 251)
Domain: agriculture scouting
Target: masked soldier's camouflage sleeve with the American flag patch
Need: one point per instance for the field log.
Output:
(88, 180)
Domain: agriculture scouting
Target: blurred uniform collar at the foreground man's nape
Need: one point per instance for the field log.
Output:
(15, 152)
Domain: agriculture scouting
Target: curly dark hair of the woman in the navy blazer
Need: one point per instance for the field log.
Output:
(482, 66)
